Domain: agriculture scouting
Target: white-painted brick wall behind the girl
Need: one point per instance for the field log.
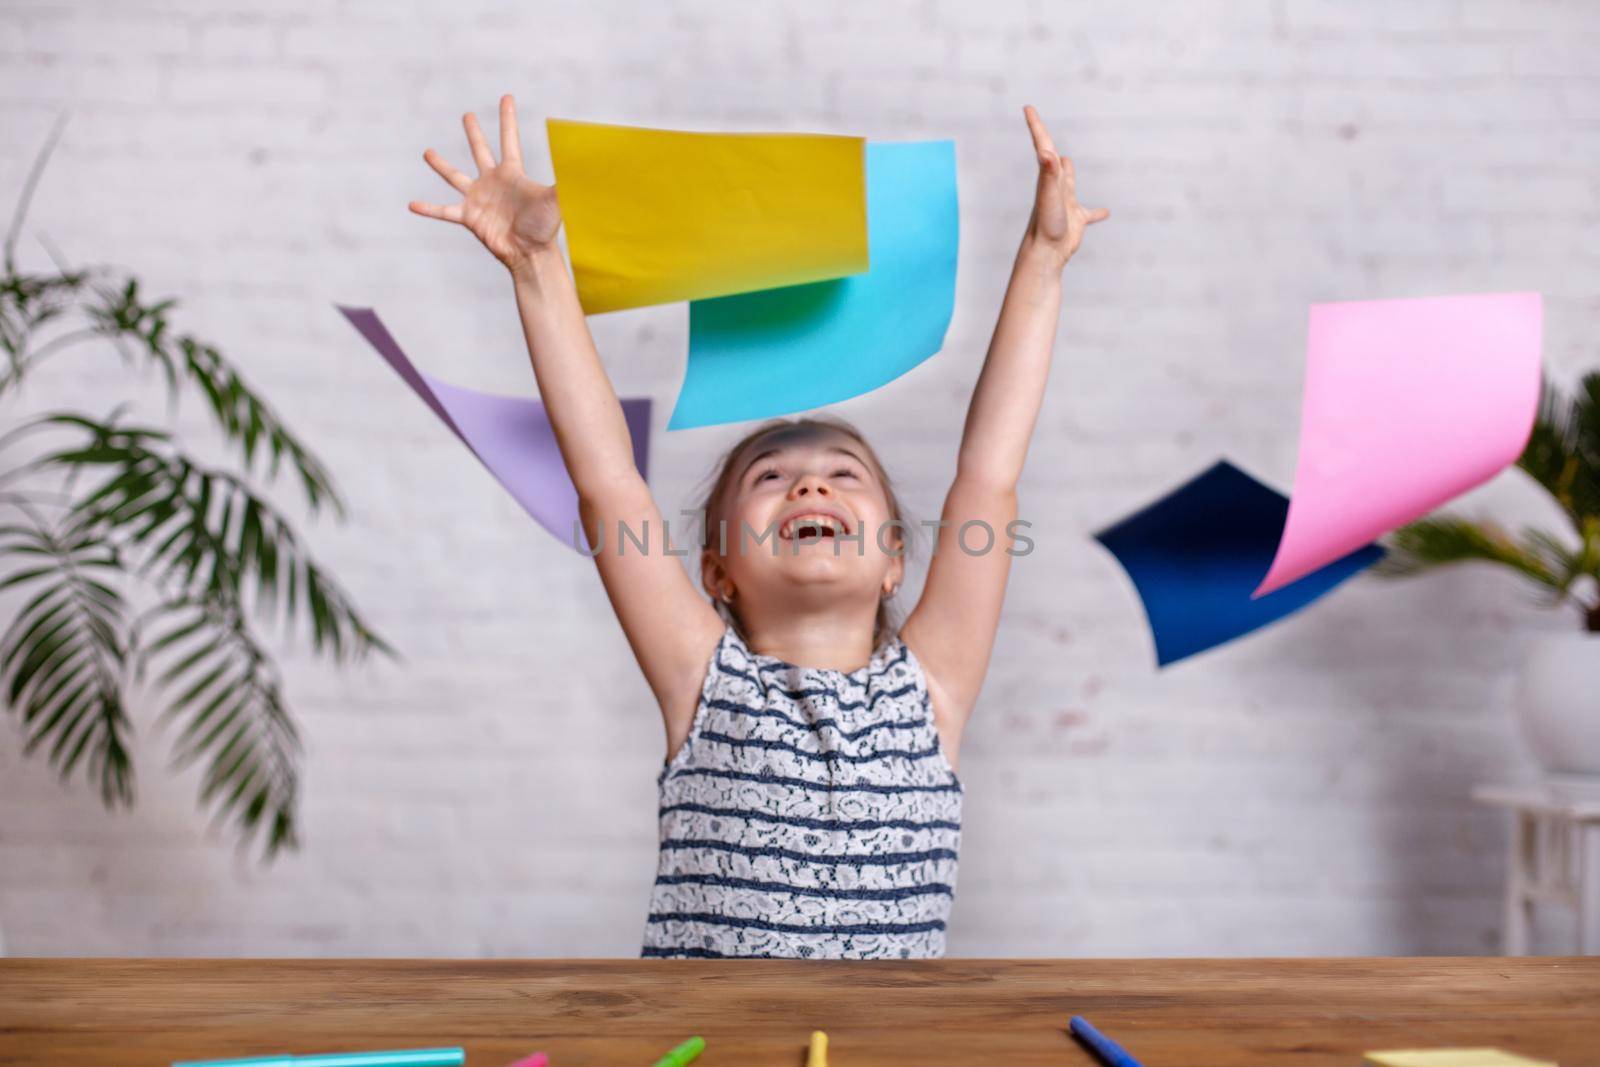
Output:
(1300, 793)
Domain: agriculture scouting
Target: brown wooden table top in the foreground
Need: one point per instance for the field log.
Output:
(758, 1013)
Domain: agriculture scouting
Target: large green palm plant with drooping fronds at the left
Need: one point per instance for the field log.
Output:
(137, 570)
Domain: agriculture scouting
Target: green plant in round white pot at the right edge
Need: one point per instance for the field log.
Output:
(1559, 685)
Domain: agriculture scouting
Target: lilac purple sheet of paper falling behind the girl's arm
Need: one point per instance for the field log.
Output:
(510, 436)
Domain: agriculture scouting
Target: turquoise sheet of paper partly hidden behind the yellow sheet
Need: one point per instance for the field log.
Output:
(799, 348)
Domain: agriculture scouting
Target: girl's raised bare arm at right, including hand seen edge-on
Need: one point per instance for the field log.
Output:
(953, 626)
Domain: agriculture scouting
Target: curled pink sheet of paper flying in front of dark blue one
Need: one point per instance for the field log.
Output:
(1409, 404)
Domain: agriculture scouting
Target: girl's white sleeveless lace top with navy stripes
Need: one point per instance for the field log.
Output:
(809, 815)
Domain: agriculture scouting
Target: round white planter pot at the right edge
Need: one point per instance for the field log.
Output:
(1559, 703)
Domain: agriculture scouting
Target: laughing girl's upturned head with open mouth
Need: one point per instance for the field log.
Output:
(807, 521)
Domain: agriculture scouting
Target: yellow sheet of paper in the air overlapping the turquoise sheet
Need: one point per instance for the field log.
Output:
(657, 217)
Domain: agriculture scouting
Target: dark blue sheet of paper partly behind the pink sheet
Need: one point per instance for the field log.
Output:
(1198, 554)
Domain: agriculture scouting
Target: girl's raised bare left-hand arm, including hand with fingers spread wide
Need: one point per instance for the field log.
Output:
(670, 626)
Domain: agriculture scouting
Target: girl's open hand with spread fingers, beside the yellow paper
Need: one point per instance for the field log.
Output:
(511, 214)
